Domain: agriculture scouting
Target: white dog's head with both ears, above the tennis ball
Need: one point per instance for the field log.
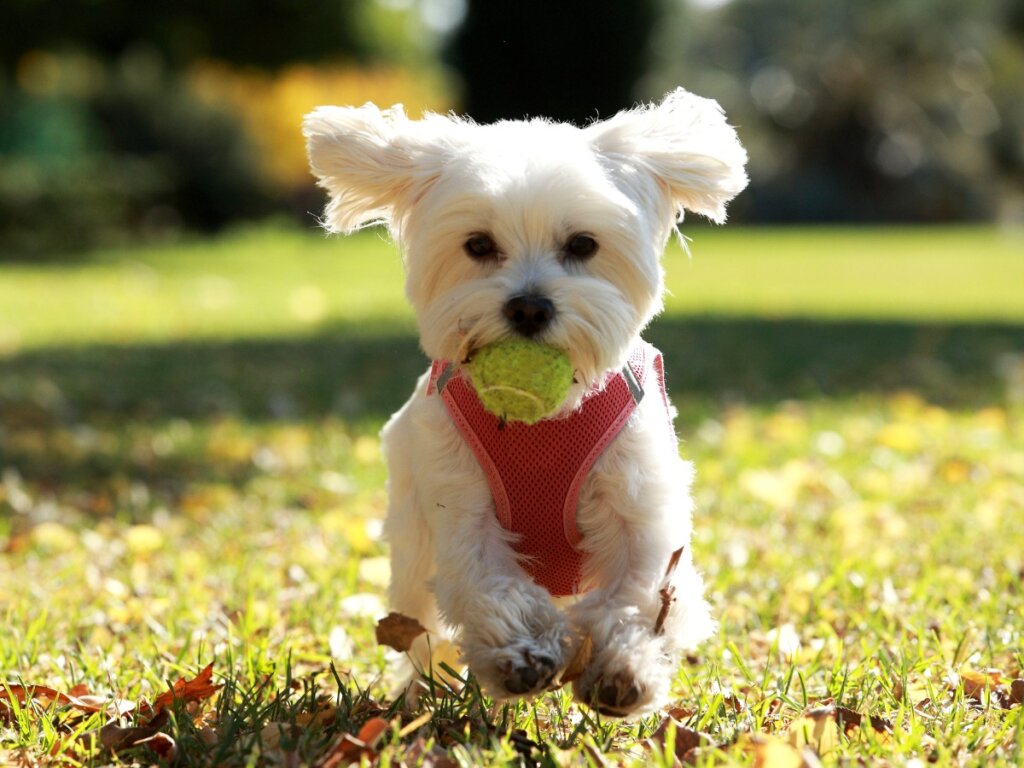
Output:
(530, 228)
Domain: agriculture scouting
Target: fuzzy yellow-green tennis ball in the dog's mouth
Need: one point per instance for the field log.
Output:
(521, 380)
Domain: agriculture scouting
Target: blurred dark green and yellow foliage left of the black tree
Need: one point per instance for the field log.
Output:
(131, 122)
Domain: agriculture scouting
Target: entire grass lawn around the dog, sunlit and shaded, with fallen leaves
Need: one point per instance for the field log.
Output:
(190, 476)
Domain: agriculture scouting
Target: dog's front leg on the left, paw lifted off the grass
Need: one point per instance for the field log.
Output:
(514, 638)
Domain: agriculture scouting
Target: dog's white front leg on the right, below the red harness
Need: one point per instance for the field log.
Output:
(649, 605)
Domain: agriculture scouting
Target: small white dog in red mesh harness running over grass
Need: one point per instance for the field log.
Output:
(554, 233)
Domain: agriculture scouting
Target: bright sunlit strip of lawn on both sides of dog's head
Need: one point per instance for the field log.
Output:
(280, 283)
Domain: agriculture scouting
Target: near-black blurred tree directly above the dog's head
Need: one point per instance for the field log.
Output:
(572, 60)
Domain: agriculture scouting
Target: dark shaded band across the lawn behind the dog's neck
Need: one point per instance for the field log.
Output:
(362, 374)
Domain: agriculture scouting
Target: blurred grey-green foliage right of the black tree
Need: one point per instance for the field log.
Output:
(858, 111)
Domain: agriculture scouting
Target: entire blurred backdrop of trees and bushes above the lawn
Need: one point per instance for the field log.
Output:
(125, 122)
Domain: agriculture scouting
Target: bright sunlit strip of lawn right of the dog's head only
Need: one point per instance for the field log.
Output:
(925, 274)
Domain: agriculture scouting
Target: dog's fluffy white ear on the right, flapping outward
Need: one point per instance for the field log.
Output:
(687, 145)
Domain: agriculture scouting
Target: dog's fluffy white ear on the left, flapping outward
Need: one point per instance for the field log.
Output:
(372, 162)
